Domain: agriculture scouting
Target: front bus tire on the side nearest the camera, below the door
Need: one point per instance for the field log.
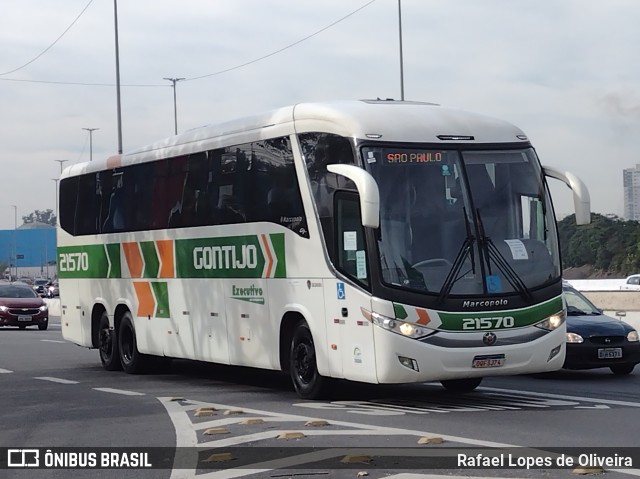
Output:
(307, 381)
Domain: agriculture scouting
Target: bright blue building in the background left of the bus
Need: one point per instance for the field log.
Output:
(29, 250)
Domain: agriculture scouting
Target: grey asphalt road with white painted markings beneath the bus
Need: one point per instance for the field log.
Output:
(55, 395)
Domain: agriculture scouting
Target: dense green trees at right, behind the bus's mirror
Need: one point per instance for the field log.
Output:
(609, 245)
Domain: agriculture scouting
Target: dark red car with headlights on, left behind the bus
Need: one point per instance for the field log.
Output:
(21, 306)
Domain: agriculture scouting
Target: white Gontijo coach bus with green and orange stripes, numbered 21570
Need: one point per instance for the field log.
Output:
(374, 241)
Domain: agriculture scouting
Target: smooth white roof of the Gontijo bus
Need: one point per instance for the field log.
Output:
(374, 120)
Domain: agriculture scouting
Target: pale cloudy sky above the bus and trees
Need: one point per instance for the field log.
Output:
(564, 71)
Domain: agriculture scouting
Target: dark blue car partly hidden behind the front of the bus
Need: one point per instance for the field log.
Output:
(595, 340)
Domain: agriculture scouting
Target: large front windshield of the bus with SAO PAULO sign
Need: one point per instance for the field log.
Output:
(463, 222)
